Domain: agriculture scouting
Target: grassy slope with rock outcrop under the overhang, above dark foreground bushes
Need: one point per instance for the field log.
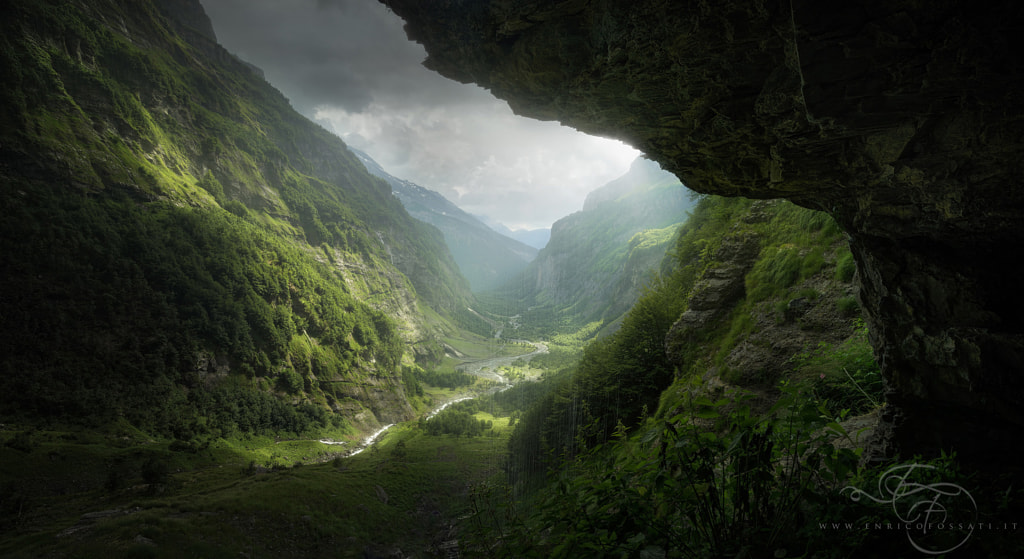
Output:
(748, 287)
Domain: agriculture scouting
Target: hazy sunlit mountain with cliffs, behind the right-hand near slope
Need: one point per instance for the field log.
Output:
(599, 259)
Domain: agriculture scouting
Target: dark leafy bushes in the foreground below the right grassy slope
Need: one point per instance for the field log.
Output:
(712, 483)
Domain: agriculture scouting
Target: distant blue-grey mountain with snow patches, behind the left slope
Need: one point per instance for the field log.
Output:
(486, 257)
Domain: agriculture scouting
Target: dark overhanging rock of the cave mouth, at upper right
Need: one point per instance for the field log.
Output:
(902, 119)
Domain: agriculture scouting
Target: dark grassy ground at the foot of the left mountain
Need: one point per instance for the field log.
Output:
(403, 492)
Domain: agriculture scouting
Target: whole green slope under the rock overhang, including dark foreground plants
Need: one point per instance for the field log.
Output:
(691, 382)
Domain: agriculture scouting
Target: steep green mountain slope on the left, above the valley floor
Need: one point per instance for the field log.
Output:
(183, 249)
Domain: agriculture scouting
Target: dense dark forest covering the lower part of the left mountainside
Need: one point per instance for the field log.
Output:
(113, 312)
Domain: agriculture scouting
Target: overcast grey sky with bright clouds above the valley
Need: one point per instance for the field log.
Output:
(348, 65)
